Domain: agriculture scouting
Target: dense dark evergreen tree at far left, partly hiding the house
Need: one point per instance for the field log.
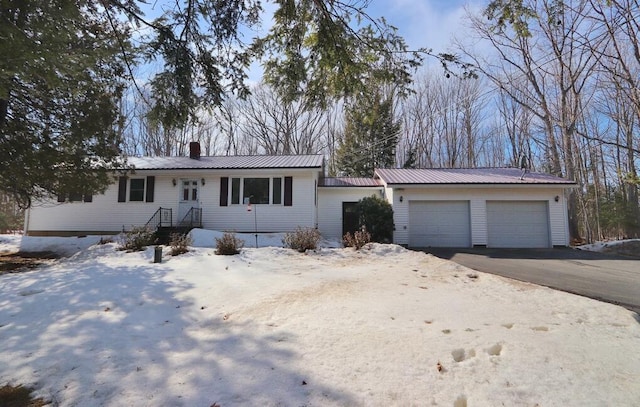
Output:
(59, 88)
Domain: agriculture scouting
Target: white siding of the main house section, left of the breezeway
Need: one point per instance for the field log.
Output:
(107, 215)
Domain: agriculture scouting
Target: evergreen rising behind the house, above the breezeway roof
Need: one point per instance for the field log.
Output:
(370, 137)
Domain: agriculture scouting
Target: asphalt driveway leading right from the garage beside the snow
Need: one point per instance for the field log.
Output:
(604, 277)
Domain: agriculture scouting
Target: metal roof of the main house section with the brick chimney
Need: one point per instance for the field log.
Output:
(228, 162)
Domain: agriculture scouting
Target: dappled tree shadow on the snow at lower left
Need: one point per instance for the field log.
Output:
(88, 333)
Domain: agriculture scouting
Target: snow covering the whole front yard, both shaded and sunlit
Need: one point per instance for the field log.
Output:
(334, 327)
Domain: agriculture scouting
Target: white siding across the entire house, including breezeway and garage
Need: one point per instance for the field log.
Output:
(311, 206)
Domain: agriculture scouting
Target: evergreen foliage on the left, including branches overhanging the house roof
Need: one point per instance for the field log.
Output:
(65, 62)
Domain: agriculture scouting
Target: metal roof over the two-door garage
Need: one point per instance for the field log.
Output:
(398, 176)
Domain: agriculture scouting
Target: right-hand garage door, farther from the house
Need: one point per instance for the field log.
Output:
(518, 224)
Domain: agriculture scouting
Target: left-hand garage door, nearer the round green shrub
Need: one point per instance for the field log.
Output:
(439, 224)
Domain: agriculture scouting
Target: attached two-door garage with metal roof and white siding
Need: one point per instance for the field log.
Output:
(477, 207)
